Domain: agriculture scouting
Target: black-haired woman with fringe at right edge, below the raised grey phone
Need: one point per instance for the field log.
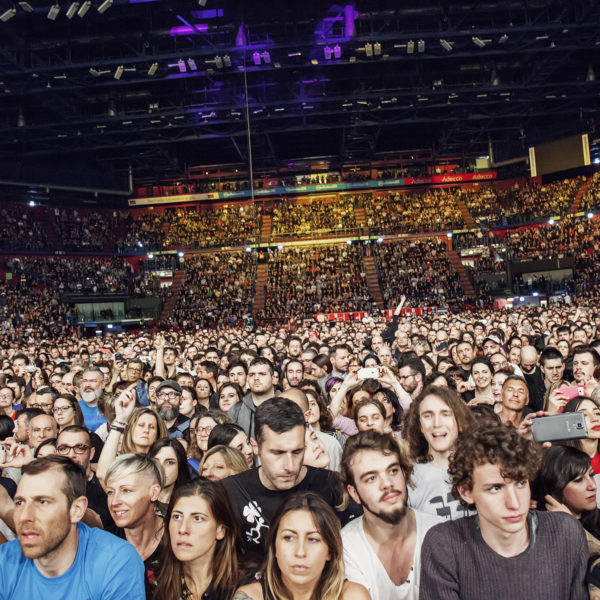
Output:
(565, 483)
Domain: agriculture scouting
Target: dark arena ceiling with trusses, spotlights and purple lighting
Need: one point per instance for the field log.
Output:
(90, 89)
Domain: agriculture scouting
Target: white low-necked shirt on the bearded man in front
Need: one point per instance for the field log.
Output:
(363, 565)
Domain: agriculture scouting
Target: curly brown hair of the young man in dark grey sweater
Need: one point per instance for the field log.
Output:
(517, 457)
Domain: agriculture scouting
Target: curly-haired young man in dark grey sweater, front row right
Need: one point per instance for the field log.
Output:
(506, 550)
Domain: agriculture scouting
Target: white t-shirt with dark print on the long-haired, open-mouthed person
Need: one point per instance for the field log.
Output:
(431, 492)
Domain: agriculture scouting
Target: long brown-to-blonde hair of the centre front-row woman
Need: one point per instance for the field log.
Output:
(331, 582)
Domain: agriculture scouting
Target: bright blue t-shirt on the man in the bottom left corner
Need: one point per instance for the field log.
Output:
(105, 568)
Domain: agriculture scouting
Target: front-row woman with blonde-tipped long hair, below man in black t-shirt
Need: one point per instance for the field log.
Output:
(304, 555)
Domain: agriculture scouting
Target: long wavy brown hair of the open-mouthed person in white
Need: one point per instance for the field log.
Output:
(418, 446)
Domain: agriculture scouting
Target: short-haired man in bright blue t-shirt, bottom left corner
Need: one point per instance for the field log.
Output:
(56, 556)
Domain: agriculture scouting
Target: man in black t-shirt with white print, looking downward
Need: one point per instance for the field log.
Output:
(257, 494)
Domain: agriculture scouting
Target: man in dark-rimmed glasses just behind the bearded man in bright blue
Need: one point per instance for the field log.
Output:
(74, 442)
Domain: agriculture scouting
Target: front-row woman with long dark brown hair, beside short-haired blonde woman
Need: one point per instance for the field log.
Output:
(199, 555)
